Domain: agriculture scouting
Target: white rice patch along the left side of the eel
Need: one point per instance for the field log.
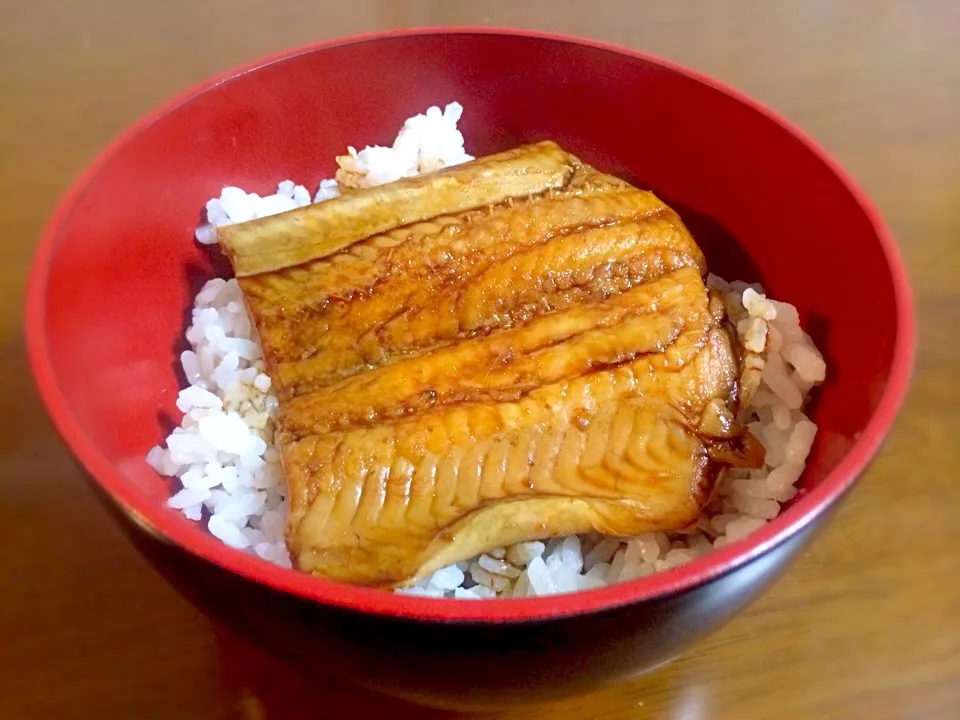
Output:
(223, 452)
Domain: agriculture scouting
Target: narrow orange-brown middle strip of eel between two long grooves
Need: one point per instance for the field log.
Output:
(508, 364)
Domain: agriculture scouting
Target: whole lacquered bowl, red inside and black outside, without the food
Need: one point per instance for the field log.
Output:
(113, 279)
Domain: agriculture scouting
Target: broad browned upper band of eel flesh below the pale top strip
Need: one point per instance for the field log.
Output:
(440, 282)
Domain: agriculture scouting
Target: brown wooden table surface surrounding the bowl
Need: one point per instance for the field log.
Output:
(866, 625)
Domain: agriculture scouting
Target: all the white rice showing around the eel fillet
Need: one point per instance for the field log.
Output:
(228, 469)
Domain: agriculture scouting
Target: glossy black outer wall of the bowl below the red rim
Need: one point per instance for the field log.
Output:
(468, 665)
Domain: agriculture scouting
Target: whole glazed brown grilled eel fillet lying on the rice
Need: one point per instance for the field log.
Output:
(544, 362)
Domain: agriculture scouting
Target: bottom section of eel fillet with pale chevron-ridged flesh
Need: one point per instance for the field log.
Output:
(613, 441)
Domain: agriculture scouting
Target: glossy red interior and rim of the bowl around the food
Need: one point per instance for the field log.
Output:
(115, 275)
